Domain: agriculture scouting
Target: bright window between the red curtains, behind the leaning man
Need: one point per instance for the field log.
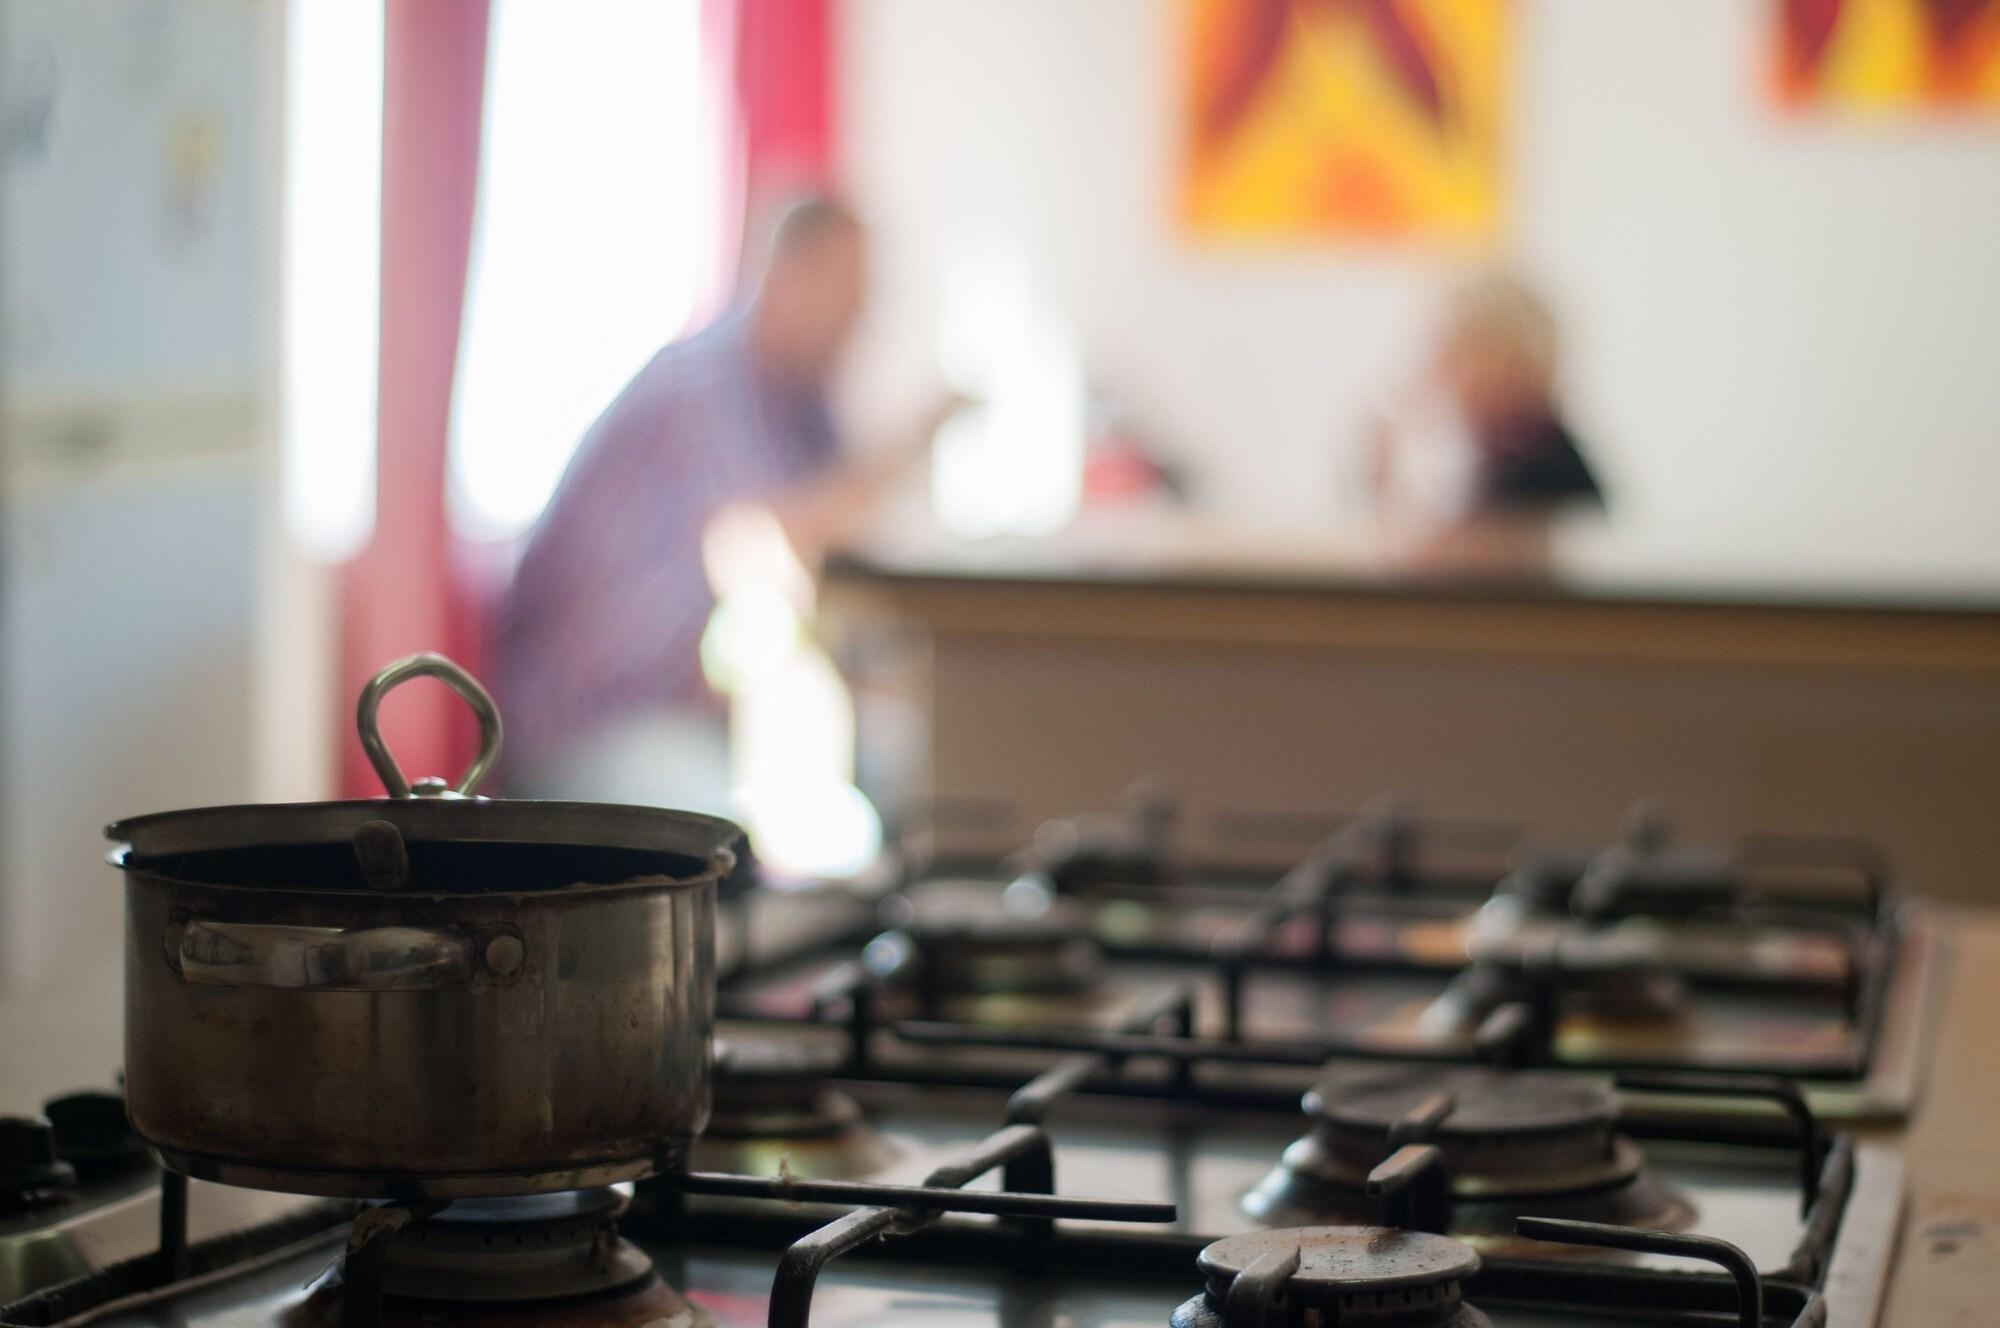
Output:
(595, 235)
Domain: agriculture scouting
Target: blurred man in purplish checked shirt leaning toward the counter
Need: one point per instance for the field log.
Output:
(601, 633)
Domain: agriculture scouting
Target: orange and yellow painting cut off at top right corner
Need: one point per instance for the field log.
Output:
(1887, 55)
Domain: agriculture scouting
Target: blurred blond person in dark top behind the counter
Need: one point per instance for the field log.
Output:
(1495, 371)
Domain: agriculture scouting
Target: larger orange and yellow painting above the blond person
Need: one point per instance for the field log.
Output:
(1343, 119)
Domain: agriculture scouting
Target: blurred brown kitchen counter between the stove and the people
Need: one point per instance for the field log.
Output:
(1305, 673)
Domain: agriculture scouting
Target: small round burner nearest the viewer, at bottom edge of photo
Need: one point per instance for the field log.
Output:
(1347, 1275)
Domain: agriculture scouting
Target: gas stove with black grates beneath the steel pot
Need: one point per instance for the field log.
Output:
(1421, 1081)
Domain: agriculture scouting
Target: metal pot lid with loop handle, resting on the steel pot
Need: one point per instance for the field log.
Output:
(429, 825)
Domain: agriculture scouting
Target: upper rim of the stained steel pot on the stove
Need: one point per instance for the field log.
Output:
(145, 845)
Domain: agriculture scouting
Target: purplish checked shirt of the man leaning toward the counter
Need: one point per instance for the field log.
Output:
(609, 603)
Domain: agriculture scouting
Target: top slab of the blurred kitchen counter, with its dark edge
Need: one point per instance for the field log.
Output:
(1367, 575)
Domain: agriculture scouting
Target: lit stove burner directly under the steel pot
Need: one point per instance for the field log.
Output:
(541, 1259)
